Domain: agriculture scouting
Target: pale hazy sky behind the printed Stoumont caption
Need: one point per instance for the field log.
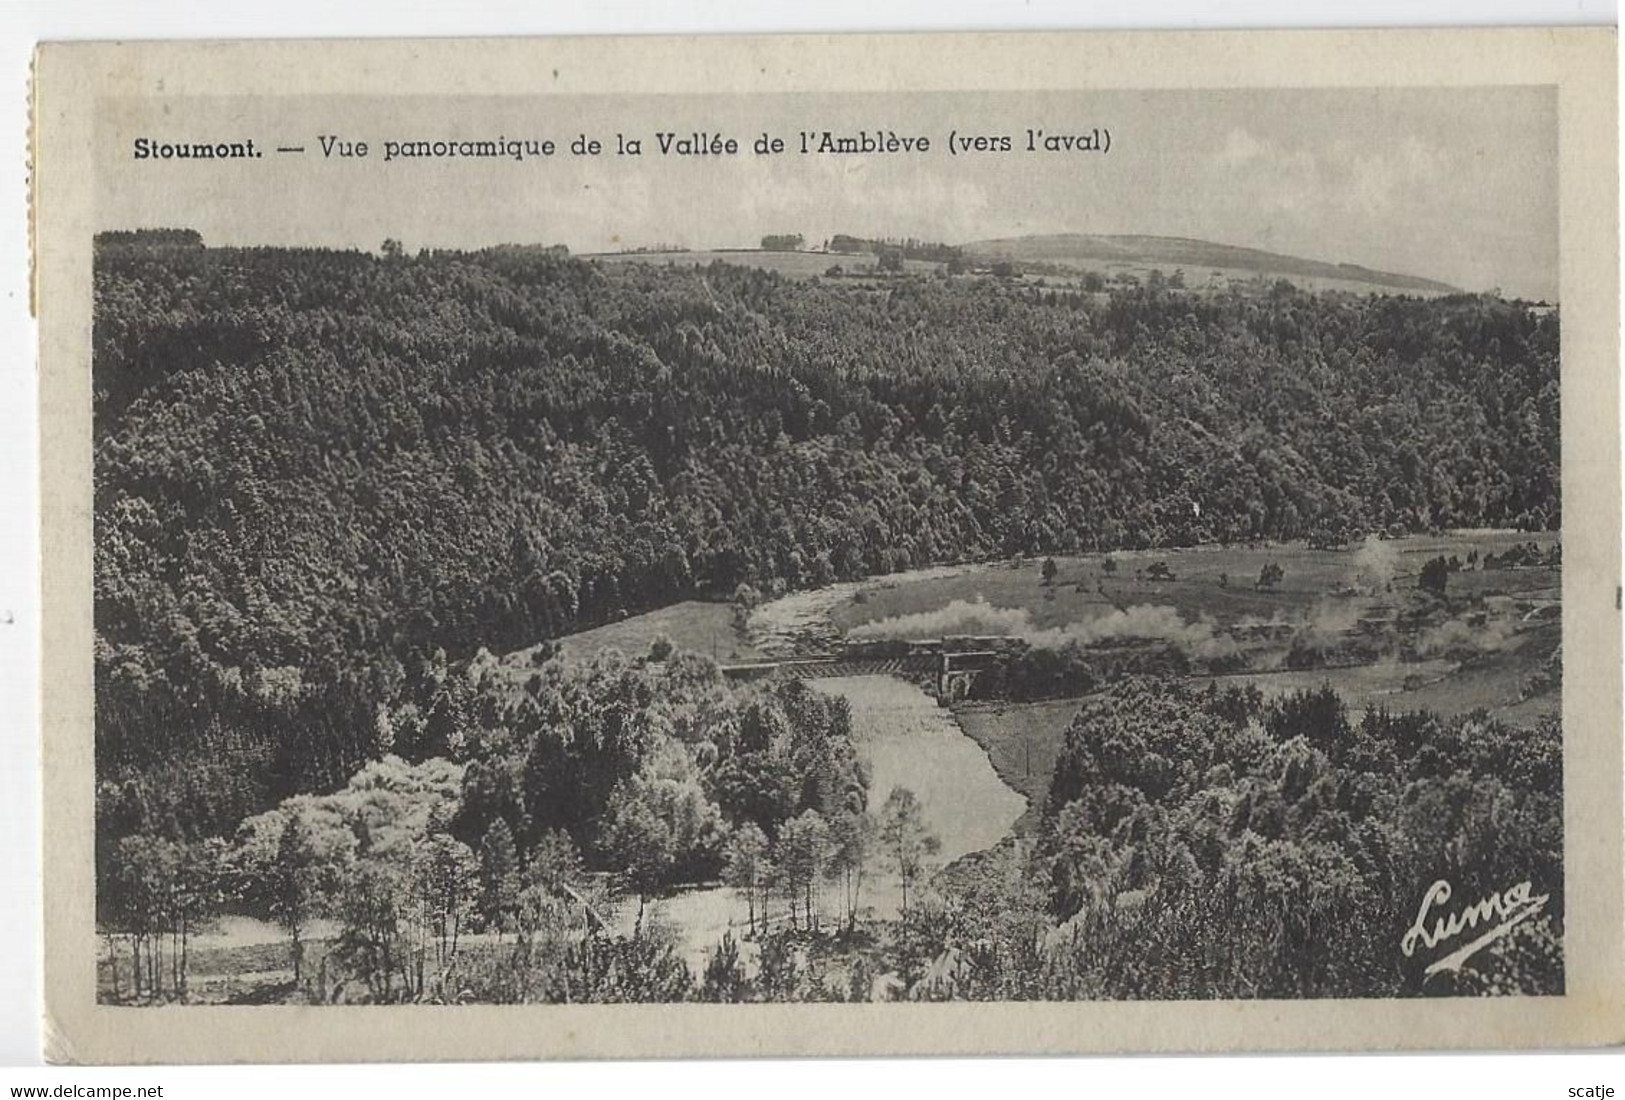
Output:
(1450, 184)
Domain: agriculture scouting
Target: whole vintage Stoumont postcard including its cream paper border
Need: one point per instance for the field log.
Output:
(872, 545)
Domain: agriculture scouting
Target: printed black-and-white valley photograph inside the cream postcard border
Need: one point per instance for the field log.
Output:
(1114, 558)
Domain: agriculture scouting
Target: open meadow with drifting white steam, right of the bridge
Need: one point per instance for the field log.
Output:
(1354, 618)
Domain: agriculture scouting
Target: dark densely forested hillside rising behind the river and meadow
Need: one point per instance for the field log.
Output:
(319, 475)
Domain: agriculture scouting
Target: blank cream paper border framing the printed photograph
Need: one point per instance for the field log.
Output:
(84, 90)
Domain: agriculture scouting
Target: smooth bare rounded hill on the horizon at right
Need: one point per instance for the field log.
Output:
(1197, 258)
